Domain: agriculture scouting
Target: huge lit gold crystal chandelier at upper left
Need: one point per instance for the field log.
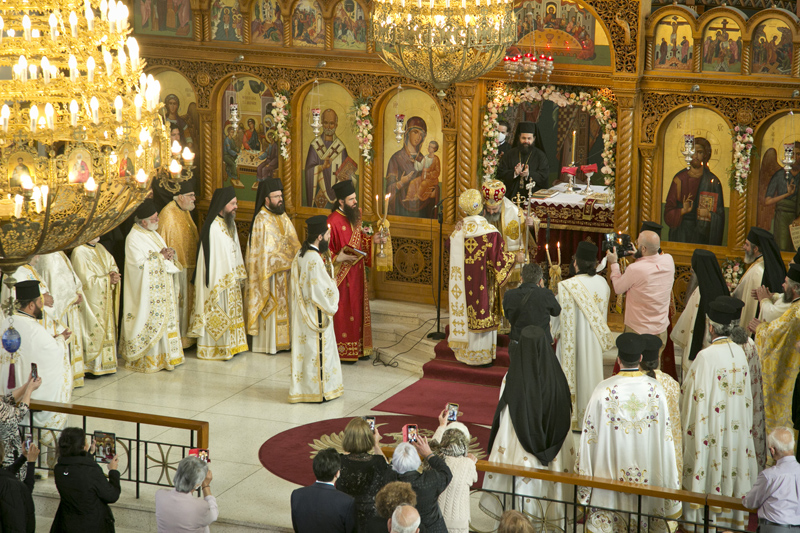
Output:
(81, 135)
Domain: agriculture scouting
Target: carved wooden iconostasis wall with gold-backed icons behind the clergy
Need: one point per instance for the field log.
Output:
(639, 66)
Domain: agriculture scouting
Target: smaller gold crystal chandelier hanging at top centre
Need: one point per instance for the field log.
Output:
(442, 42)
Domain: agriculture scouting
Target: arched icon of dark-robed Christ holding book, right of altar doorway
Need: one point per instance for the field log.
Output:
(696, 194)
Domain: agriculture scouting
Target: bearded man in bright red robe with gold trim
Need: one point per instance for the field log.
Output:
(351, 250)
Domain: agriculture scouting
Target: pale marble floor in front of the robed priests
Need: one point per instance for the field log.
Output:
(244, 400)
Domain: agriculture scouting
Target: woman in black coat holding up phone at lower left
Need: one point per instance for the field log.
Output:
(85, 491)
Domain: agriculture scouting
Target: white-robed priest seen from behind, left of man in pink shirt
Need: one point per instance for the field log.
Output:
(582, 329)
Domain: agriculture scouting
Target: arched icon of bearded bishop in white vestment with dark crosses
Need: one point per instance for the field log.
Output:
(332, 156)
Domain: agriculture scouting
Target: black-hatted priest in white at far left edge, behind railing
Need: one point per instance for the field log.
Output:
(48, 352)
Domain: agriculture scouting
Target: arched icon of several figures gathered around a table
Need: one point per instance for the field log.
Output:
(250, 148)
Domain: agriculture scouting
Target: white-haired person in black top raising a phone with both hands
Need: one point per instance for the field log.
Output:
(428, 484)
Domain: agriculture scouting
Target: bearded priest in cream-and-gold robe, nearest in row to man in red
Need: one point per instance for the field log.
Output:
(272, 245)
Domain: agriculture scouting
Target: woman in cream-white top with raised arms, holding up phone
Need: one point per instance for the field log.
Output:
(452, 444)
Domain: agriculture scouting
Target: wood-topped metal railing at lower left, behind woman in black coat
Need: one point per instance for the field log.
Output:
(140, 453)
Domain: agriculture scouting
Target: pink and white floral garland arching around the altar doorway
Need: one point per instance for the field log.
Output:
(598, 104)
